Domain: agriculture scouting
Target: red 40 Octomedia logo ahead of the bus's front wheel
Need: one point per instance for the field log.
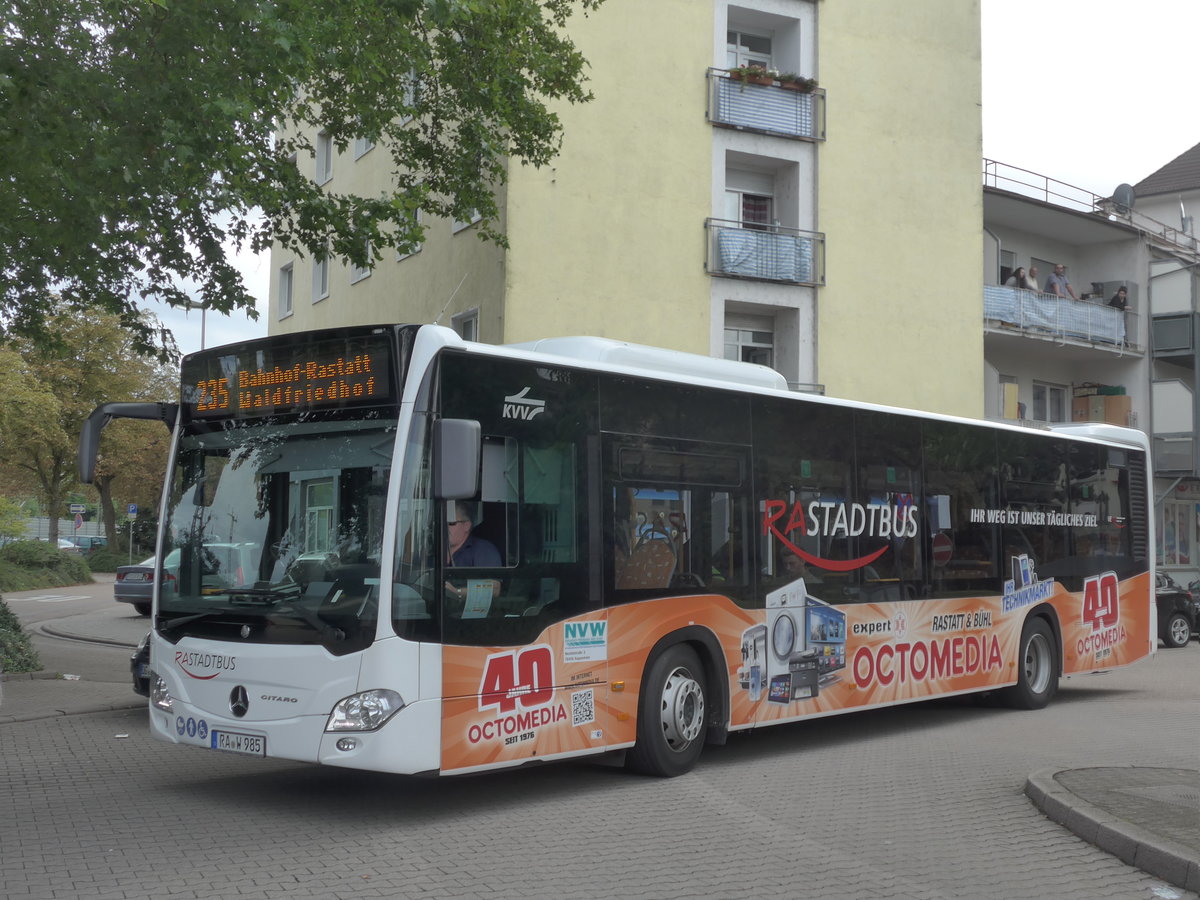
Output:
(513, 680)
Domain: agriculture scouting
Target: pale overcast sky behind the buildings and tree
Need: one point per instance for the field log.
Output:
(1093, 93)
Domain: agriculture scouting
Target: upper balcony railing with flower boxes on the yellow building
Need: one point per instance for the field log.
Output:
(766, 110)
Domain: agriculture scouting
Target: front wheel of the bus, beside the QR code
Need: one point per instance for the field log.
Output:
(671, 715)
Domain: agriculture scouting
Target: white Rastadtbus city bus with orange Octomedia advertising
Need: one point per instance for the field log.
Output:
(389, 549)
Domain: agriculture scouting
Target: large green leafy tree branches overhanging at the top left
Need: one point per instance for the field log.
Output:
(145, 137)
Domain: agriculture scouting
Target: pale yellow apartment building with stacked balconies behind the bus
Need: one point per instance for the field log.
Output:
(831, 232)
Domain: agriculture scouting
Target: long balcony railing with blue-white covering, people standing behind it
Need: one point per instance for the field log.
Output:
(1048, 316)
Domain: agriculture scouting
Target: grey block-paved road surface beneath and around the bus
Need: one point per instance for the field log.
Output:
(917, 802)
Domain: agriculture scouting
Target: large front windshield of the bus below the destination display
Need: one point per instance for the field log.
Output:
(274, 533)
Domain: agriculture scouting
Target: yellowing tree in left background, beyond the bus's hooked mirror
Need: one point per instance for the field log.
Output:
(51, 388)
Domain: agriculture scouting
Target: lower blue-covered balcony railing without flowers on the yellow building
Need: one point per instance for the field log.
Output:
(765, 253)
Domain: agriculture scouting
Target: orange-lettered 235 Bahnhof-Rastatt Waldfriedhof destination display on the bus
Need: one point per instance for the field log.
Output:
(290, 379)
